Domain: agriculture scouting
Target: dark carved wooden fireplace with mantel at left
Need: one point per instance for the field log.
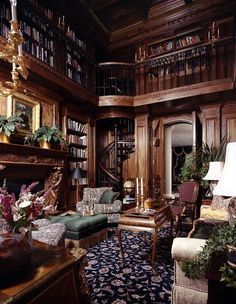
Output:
(22, 164)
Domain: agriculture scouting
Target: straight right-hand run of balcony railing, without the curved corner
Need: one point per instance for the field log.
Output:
(205, 62)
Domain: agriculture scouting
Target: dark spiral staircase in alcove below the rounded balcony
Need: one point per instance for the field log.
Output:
(111, 158)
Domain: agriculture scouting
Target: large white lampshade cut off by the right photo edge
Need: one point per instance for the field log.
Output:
(227, 183)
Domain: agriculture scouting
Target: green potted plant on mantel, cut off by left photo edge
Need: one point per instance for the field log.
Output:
(8, 126)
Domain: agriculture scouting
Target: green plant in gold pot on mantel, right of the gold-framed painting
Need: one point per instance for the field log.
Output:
(49, 136)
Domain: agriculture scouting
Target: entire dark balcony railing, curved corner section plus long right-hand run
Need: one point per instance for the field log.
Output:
(209, 61)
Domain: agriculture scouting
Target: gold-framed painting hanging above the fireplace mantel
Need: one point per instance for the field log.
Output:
(26, 107)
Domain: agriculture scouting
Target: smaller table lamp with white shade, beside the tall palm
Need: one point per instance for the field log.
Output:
(213, 175)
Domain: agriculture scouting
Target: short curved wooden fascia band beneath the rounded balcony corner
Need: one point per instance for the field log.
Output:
(112, 100)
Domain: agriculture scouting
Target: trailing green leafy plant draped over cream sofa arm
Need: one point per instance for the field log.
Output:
(216, 246)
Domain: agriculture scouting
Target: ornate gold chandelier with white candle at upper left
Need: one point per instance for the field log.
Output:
(12, 53)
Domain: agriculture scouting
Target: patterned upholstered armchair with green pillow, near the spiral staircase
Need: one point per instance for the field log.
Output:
(103, 201)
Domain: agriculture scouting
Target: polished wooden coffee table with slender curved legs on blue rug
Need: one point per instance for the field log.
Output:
(137, 221)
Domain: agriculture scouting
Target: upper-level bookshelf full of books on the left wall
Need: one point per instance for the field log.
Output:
(51, 39)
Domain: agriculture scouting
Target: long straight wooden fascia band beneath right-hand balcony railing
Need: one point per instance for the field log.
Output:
(186, 91)
